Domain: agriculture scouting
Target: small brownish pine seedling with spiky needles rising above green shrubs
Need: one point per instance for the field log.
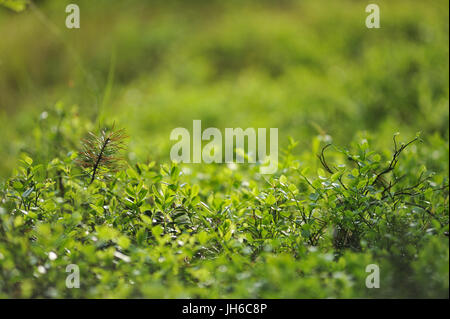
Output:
(100, 154)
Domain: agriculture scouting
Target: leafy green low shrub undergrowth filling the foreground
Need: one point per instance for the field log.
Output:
(164, 230)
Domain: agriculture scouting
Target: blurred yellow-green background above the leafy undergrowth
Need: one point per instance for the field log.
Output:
(310, 68)
